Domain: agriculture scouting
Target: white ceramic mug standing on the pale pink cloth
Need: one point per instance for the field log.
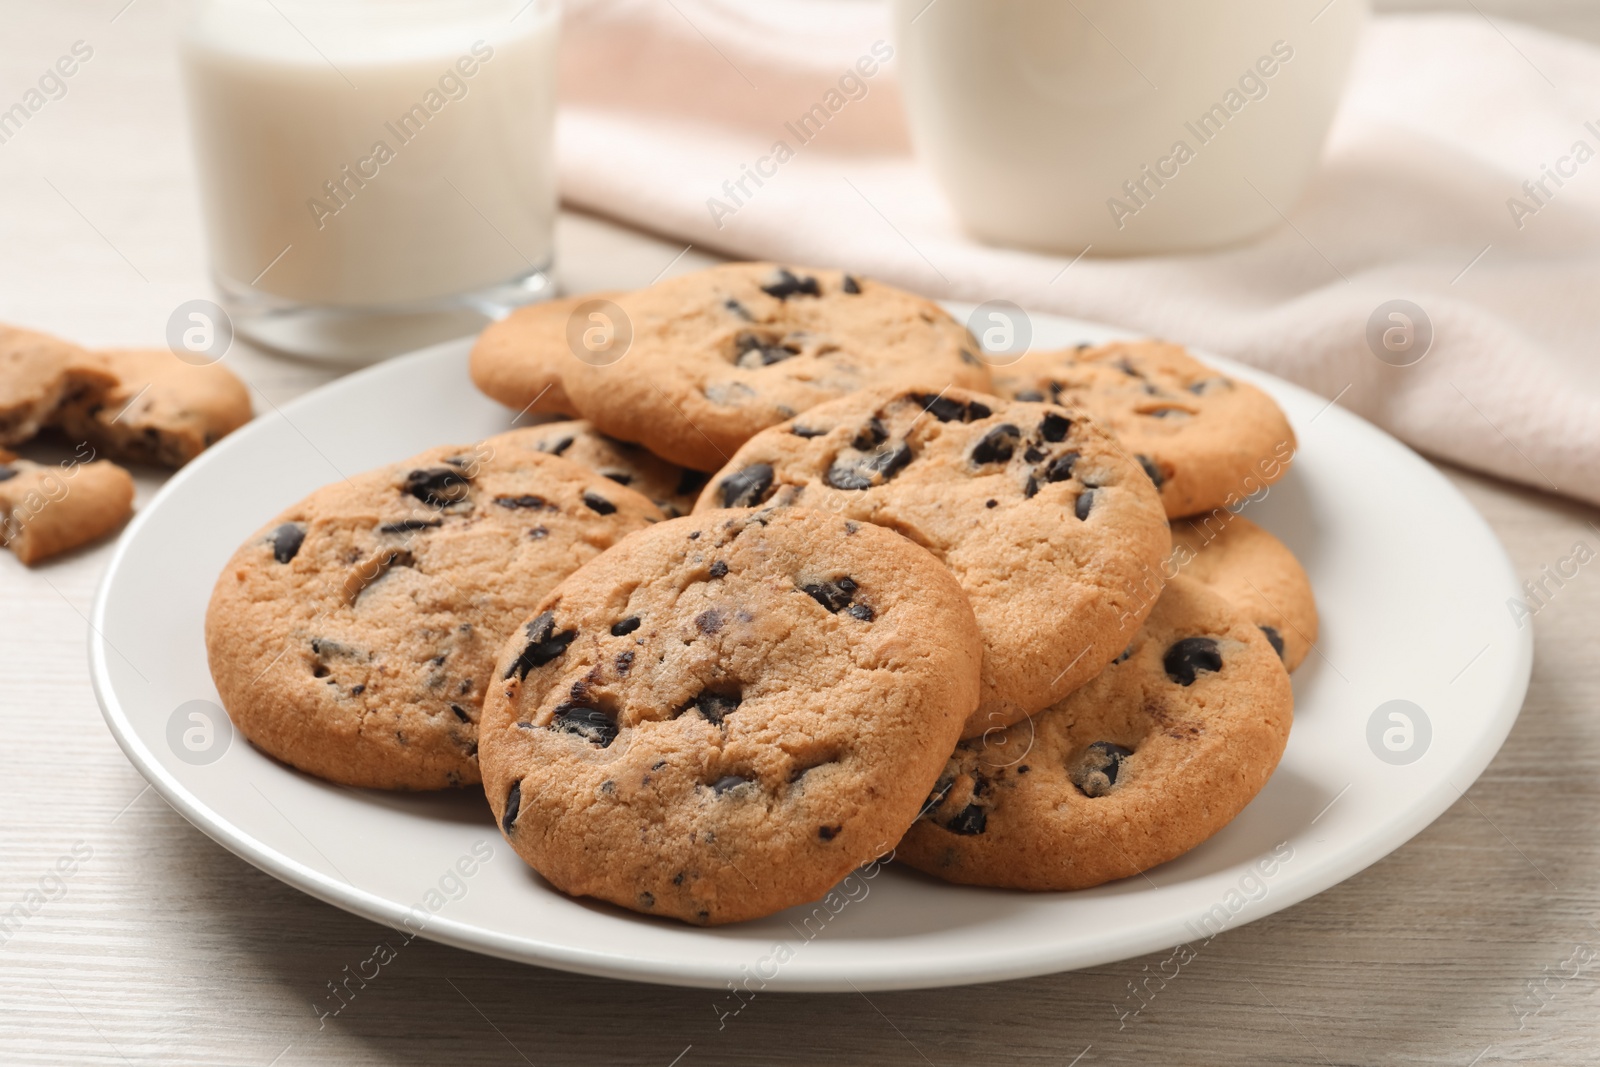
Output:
(1122, 127)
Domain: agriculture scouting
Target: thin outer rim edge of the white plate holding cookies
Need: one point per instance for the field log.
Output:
(866, 975)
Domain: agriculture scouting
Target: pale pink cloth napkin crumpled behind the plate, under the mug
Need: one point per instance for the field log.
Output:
(1444, 121)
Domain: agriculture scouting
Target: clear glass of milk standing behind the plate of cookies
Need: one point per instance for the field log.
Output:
(377, 175)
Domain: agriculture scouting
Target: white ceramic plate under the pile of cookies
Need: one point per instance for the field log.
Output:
(1410, 581)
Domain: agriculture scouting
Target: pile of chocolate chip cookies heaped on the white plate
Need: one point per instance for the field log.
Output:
(799, 581)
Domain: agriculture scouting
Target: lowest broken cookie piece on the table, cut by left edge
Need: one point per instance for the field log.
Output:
(50, 510)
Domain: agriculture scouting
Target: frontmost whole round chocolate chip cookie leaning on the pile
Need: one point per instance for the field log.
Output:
(729, 713)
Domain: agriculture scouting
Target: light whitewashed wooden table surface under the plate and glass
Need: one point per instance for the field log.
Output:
(1476, 943)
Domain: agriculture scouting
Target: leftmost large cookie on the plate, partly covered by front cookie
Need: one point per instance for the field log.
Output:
(354, 636)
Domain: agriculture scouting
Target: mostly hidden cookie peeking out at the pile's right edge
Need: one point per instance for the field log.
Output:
(1257, 572)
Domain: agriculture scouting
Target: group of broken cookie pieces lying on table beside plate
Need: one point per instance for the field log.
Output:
(137, 406)
